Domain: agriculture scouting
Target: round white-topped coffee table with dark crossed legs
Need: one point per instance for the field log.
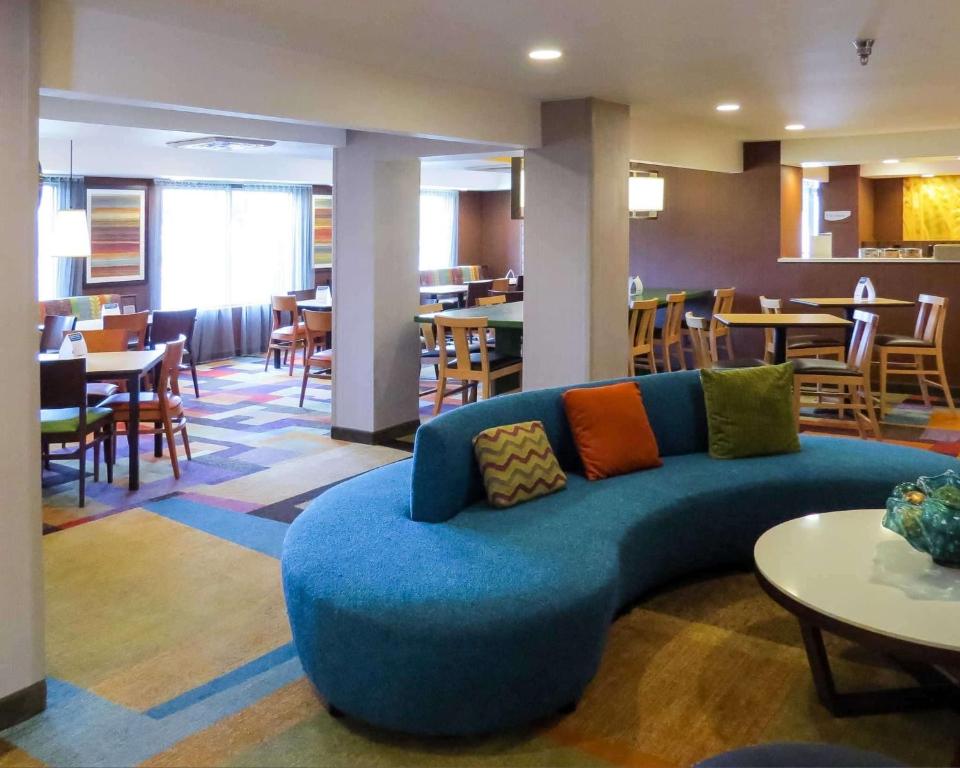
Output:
(844, 573)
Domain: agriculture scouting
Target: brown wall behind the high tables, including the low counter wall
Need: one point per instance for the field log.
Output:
(721, 229)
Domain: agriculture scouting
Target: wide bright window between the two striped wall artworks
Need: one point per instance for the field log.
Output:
(227, 246)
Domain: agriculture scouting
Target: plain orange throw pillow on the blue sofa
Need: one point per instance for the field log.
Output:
(611, 430)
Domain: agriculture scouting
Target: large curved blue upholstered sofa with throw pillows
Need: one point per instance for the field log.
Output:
(417, 607)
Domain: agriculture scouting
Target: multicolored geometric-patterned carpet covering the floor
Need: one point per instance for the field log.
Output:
(168, 644)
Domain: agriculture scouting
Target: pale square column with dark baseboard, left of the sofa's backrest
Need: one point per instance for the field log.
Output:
(376, 209)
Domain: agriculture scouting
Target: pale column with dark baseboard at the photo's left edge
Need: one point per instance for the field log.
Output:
(22, 691)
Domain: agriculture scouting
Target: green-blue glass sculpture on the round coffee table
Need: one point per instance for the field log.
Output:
(927, 514)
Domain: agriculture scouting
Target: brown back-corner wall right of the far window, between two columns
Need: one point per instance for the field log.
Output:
(487, 235)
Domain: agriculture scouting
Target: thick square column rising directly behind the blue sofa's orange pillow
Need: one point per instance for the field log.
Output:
(576, 245)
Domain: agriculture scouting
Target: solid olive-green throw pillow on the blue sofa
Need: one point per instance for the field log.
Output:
(750, 411)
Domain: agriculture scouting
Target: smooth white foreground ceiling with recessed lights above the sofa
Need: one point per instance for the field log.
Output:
(783, 60)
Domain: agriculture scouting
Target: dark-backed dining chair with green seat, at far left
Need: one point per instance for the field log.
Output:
(66, 418)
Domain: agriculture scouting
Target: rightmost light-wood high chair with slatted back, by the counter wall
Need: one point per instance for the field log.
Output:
(926, 342)
